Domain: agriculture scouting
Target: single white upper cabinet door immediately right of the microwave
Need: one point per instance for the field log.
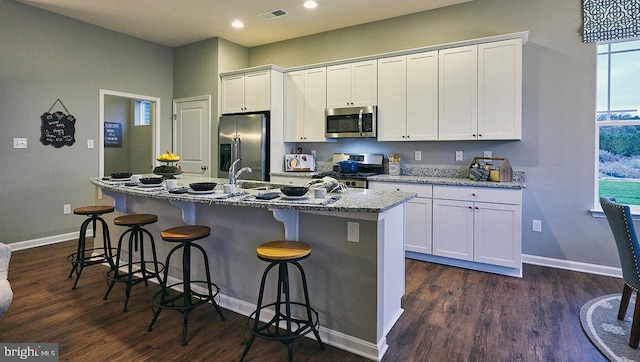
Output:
(392, 99)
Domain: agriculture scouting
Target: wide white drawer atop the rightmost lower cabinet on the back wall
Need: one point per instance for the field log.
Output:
(483, 194)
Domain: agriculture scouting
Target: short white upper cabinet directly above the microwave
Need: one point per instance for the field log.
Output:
(352, 84)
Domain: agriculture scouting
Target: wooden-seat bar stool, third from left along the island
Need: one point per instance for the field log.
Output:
(183, 302)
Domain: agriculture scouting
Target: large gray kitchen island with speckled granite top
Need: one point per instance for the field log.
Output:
(356, 279)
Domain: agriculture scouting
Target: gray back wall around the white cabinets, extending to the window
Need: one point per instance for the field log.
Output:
(557, 150)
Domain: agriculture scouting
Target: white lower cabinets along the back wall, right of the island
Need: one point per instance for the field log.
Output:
(463, 225)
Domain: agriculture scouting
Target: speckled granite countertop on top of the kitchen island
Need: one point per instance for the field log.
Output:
(352, 200)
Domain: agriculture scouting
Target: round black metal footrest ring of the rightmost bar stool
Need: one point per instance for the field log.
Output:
(276, 328)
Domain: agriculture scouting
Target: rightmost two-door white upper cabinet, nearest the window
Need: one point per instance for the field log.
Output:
(481, 92)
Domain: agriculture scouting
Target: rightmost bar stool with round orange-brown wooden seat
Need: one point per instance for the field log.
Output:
(281, 253)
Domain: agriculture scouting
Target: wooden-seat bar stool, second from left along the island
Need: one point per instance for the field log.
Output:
(137, 271)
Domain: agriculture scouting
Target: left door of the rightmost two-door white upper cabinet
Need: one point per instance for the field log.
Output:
(458, 93)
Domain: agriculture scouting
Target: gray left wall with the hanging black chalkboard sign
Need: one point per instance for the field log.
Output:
(45, 57)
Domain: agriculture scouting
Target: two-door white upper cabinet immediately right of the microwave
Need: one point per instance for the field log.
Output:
(408, 97)
